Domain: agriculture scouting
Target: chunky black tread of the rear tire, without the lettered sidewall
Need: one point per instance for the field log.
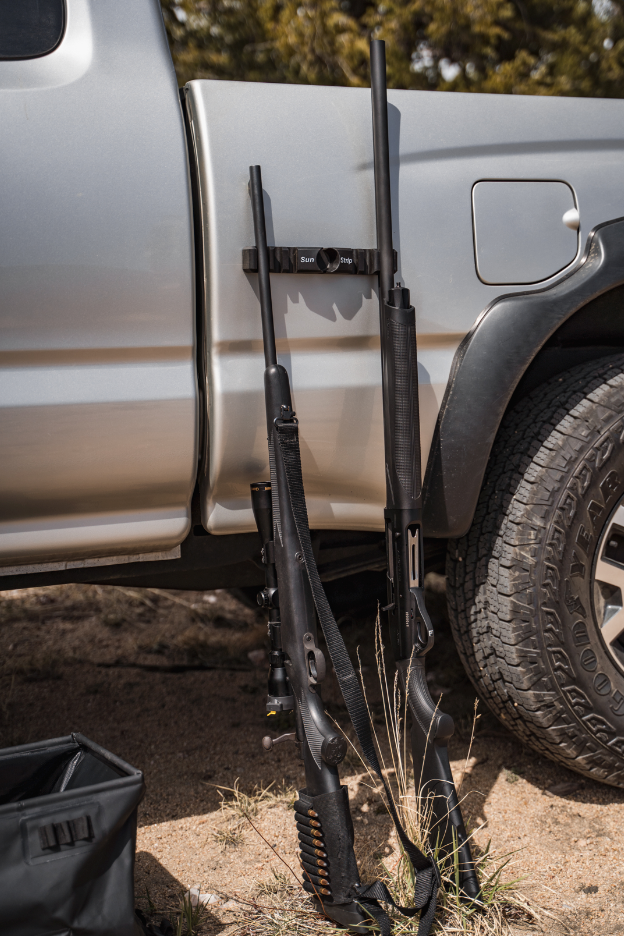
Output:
(491, 571)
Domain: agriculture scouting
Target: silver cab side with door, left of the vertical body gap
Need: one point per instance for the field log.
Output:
(97, 376)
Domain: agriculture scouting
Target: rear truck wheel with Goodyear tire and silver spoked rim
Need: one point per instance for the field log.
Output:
(536, 586)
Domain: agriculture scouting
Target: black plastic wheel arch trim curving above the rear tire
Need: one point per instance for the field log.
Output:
(486, 369)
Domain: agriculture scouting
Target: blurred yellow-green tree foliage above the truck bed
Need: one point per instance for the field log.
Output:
(562, 47)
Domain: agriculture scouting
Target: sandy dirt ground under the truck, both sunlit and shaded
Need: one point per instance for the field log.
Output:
(166, 681)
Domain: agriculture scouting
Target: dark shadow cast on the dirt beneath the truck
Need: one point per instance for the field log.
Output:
(127, 668)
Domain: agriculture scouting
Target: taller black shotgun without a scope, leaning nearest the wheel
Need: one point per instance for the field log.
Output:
(411, 632)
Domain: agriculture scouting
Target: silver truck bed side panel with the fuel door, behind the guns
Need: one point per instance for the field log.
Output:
(315, 148)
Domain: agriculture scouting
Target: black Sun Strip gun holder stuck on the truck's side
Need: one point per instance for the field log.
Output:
(352, 260)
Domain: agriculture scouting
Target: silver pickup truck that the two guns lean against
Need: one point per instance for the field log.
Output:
(131, 395)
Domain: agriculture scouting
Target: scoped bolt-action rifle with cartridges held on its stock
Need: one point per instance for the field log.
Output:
(297, 666)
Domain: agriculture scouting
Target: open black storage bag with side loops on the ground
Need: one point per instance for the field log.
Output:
(68, 817)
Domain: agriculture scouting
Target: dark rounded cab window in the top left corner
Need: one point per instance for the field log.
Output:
(30, 28)
